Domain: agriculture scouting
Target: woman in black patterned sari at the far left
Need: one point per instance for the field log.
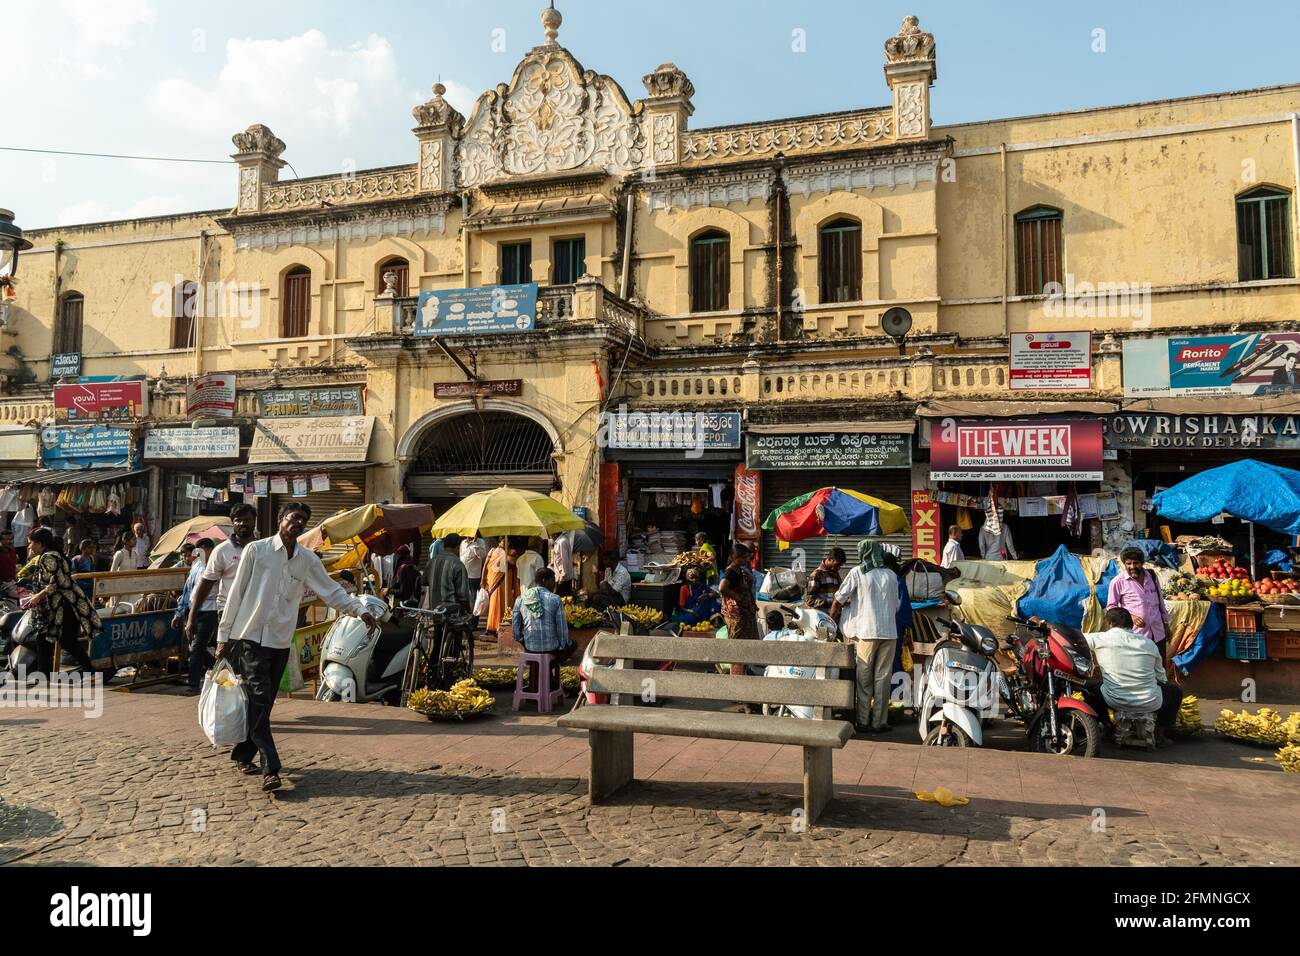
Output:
(60, 609)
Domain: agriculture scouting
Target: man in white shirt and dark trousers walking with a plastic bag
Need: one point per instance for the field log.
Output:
(262, 615)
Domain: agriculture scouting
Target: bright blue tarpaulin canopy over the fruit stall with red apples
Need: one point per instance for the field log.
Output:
(1249, 490)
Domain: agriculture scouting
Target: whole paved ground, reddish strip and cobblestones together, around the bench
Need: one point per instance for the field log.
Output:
(127, 789)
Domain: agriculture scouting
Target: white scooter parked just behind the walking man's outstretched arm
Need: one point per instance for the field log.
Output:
(359, 665)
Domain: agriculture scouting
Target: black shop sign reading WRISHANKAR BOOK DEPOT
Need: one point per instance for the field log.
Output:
(1146, 431)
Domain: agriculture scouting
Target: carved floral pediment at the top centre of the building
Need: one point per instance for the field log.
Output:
(553, 118)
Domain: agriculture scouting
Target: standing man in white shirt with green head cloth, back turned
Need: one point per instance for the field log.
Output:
(866, 609)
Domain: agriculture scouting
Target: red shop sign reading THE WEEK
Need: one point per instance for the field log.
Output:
(1016, 451)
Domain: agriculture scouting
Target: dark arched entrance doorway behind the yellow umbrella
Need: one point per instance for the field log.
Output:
(478, 451)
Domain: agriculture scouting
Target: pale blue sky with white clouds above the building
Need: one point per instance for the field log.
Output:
(337, 81)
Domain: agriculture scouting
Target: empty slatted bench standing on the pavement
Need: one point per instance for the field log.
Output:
(612, 726)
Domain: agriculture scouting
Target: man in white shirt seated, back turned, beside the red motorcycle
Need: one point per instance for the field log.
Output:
(1133, 674)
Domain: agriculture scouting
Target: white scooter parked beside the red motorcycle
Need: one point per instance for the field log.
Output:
(960, 685)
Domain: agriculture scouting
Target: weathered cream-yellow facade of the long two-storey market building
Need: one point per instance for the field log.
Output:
(1147, 196)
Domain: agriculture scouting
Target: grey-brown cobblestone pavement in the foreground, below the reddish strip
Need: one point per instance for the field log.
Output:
(76, 799)
